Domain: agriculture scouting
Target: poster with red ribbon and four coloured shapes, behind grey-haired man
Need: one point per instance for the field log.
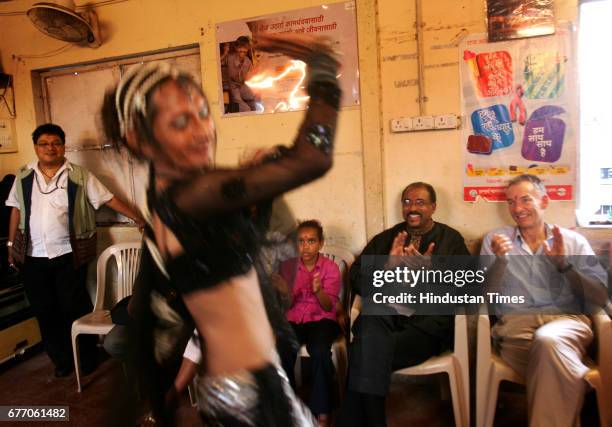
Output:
(519, 103)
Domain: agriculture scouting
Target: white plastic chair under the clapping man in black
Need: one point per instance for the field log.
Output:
(454, 363)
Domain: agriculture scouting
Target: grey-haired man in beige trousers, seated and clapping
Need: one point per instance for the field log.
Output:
(554, 272)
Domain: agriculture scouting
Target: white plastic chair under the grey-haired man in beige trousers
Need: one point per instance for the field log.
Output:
(491, 370)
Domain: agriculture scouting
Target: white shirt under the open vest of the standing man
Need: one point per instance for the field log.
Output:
(49, 233)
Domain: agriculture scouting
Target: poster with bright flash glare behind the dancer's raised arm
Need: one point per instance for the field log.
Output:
(257, 82)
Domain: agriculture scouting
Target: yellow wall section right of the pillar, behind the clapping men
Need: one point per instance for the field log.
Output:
(436, 156)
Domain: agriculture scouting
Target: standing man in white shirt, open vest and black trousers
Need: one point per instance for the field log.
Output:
(53, 205)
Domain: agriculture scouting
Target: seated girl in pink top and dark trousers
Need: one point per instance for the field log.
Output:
(311, 286)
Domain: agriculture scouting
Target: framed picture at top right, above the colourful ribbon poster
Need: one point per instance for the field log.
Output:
(515, 19)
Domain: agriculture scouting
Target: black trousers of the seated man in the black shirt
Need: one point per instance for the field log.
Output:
(381, 345)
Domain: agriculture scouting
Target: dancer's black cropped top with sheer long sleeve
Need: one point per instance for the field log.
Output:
(207, 213)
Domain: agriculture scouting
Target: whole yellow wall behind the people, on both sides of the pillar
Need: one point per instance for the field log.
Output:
(361, 194)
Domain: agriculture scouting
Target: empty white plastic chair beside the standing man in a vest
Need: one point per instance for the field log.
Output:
(98, 322)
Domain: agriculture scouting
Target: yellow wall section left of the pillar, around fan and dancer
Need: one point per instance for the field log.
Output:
(138, 26)
